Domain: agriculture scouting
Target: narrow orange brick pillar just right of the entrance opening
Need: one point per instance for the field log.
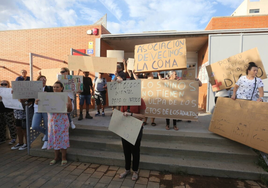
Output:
(203, 58)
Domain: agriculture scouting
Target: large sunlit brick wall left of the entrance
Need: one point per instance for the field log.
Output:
(52, 42)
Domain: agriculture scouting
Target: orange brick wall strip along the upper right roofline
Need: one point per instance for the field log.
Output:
(238, 22)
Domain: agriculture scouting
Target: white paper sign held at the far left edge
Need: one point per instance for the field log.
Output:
(8, 101)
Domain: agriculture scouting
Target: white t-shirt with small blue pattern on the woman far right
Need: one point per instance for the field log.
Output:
(246, 87)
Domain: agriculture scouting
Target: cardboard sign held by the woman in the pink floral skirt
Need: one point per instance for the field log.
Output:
(52, 102)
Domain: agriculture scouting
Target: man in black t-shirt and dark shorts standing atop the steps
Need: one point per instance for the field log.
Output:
(85, 95)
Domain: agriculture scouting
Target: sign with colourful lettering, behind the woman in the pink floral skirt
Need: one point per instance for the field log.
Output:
(71, 83)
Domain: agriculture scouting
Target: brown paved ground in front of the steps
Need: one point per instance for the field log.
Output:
(17, 169)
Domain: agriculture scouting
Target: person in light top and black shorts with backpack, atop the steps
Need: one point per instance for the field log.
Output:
(100, 86)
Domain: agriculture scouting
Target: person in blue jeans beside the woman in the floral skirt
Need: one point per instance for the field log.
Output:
(37, 118)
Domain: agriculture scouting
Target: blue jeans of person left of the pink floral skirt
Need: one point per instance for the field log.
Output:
(37, 118)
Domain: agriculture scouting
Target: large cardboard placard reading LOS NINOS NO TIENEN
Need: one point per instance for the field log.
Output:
(170, 99)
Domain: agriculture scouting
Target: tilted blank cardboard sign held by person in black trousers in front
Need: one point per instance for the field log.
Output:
(126, 127)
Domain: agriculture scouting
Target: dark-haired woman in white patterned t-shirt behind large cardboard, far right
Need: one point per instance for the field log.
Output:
(249, 87)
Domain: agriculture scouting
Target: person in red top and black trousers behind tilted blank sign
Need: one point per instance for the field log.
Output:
(137, 112)
